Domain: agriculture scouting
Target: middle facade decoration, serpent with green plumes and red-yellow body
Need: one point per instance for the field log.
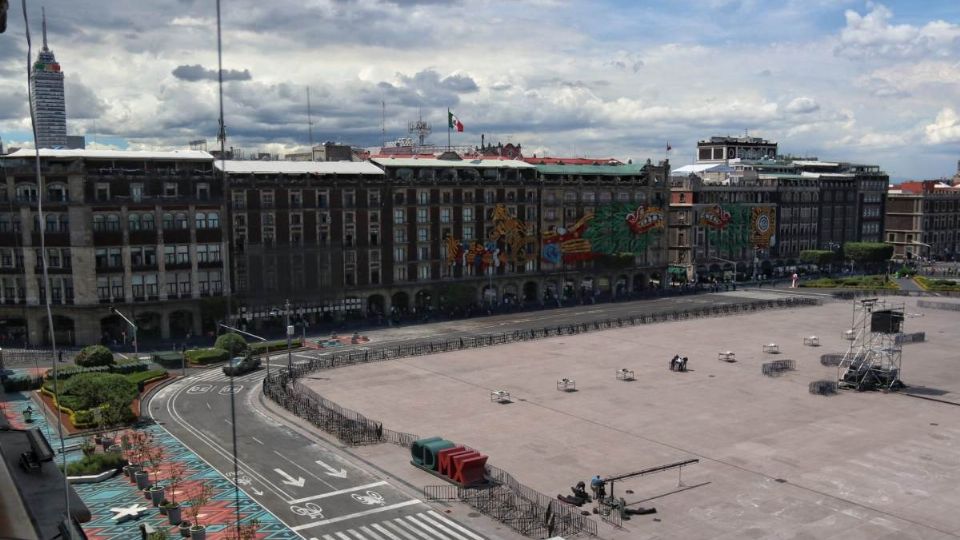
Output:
(614, 229)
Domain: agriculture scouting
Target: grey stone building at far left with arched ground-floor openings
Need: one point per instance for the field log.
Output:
(136, 231)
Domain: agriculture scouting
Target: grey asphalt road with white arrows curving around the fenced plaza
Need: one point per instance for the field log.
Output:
(314, 488)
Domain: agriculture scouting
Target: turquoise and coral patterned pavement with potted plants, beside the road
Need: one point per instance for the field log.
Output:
(218, 515)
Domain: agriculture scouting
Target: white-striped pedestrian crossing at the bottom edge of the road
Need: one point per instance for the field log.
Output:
(423, 526)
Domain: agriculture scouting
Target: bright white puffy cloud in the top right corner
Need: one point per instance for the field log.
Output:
(873, 36)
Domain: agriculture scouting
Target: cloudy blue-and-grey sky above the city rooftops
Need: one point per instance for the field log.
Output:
(840, 79)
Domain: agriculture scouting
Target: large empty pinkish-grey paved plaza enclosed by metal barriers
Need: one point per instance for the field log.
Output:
(775, 461)
